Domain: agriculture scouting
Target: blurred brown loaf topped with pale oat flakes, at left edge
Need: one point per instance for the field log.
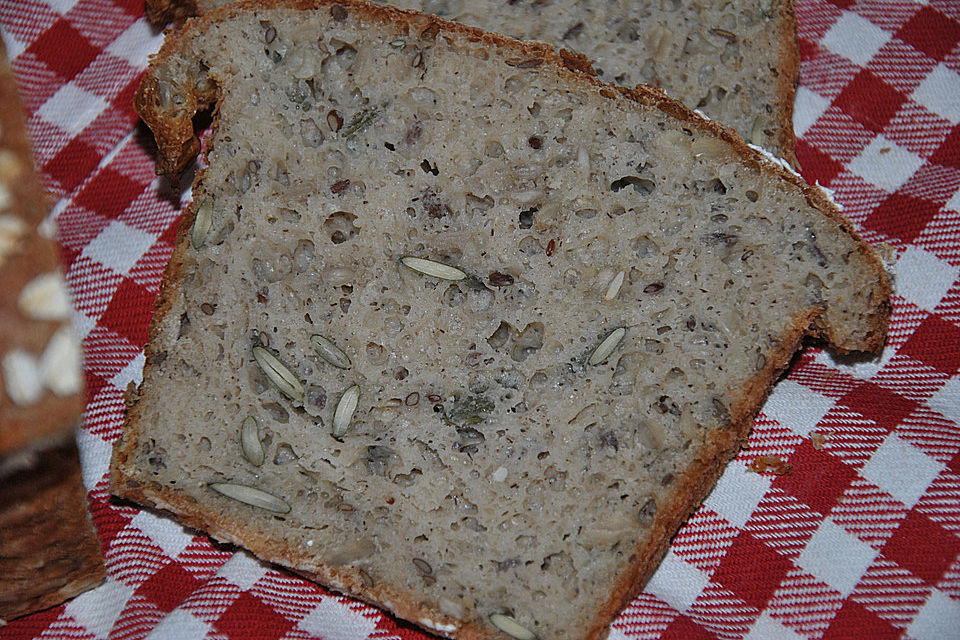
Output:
(48, 549)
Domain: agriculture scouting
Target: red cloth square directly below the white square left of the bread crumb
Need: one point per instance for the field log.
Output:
(752, 570)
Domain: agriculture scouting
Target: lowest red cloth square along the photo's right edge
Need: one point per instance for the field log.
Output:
(922, 547)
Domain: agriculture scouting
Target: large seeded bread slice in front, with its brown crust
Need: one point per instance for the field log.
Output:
(454, 327)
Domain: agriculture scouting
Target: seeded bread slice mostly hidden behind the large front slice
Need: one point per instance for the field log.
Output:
(735, 61)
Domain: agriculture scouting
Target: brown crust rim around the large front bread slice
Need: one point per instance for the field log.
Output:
(696, 481)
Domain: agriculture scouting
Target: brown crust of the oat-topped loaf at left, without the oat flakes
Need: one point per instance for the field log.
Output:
(49, 551)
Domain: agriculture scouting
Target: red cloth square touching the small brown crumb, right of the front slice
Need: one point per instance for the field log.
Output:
(818, 479)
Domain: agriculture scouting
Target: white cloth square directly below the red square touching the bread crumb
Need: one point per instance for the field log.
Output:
(836, 557)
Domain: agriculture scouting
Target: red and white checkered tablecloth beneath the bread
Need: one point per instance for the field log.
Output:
(862, 540)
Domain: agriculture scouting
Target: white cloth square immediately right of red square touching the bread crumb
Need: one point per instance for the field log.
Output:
(902, 470)
